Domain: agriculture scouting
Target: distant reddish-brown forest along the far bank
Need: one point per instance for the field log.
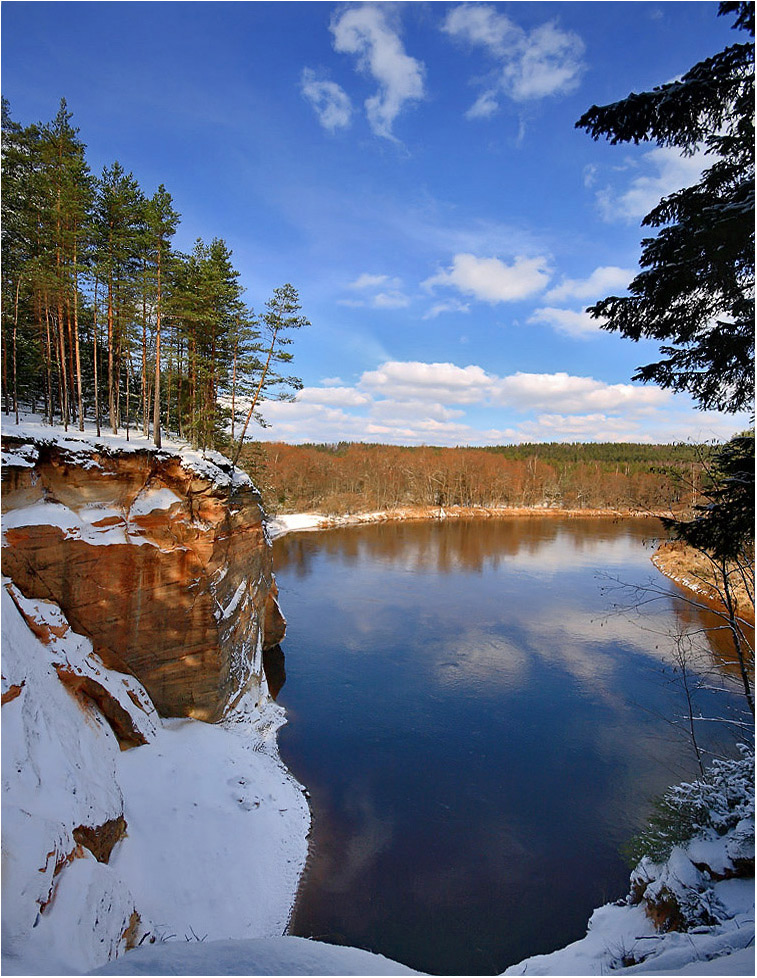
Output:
(351, 477)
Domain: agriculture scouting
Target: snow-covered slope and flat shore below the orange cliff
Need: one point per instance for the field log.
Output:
(216, 826)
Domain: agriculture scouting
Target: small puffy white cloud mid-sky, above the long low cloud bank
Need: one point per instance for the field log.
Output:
(491, 280)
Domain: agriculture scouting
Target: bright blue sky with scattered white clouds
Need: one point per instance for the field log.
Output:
(413, 169)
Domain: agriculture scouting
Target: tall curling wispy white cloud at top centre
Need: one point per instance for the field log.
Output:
(364, 31)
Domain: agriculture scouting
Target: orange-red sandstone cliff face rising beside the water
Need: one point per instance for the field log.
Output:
(168, 572)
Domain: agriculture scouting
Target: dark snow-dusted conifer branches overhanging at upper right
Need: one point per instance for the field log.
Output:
(695, 292)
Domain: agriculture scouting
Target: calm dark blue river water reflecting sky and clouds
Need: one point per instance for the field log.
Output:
(478, 737)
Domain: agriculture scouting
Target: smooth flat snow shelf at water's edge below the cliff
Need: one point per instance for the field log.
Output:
(217, 828)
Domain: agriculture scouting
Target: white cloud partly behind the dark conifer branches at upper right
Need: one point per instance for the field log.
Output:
(666, 171)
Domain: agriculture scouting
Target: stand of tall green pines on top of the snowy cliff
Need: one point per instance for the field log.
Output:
(104, 320)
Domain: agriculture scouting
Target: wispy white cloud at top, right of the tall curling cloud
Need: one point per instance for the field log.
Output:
(530, 64)
